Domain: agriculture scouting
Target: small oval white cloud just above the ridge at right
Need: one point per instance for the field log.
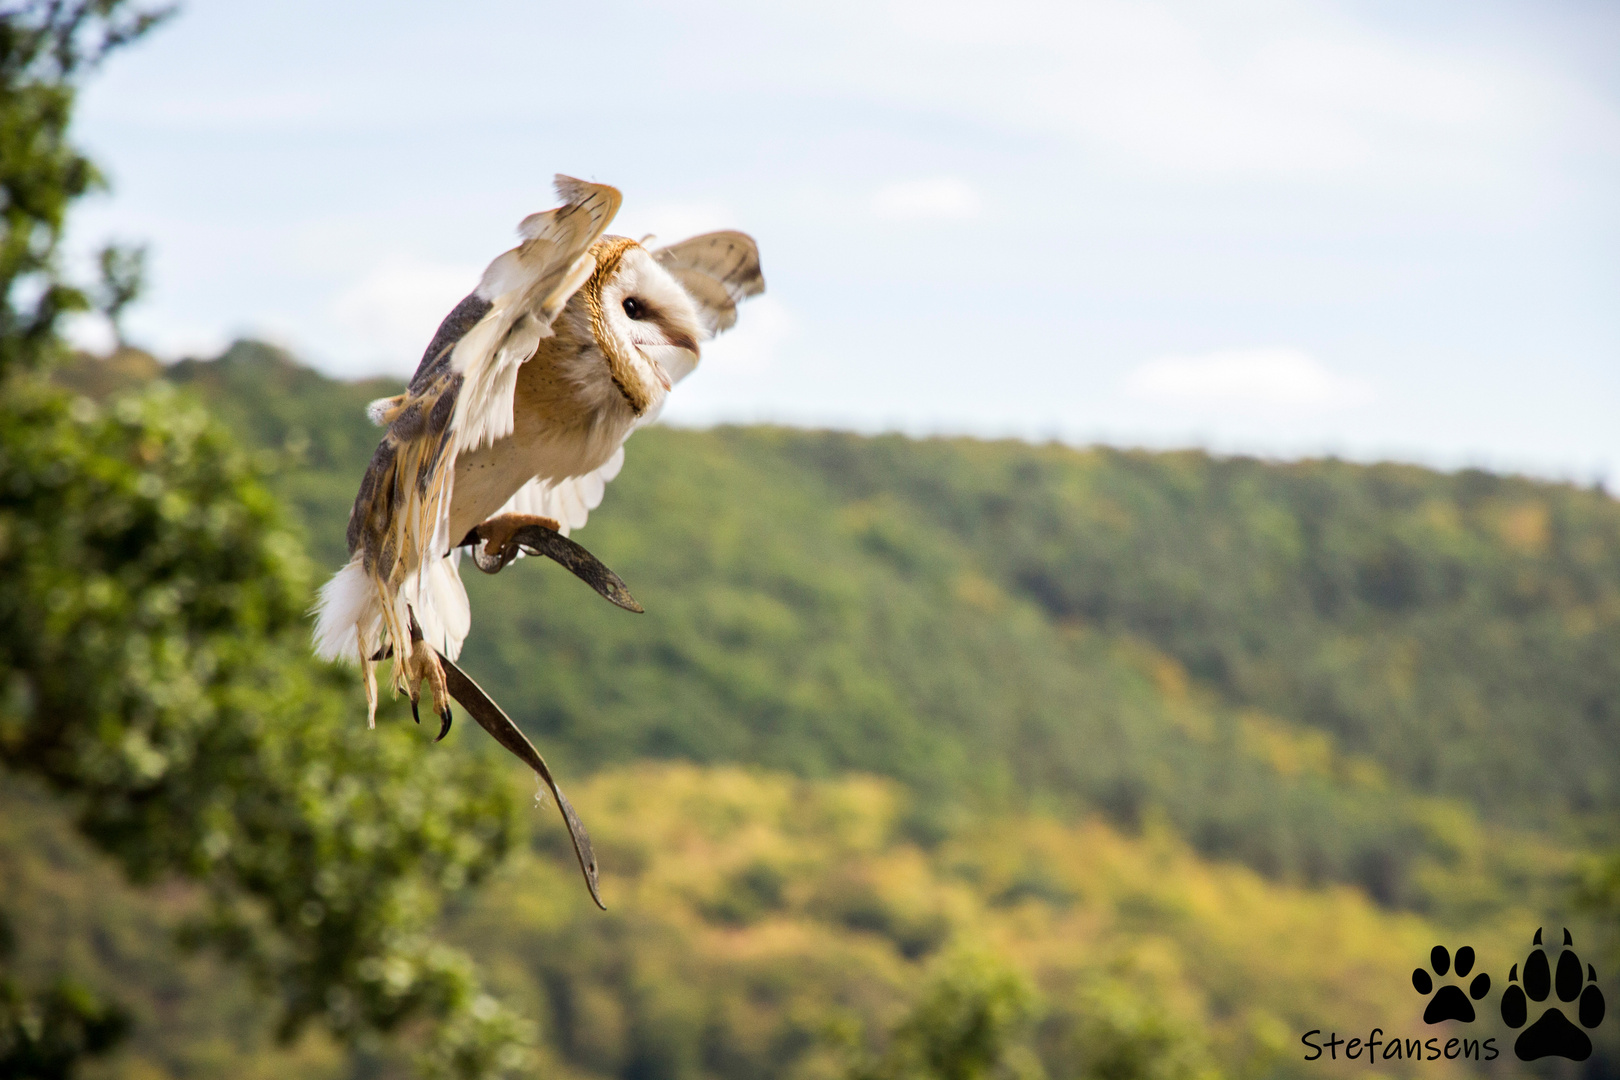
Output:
(1255, 378)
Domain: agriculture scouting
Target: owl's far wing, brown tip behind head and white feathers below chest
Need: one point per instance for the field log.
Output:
(718, 271)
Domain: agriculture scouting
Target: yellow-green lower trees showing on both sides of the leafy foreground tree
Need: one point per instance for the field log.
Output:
(764, 925)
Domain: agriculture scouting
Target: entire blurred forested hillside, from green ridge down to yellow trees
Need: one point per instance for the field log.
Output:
(1201, 749)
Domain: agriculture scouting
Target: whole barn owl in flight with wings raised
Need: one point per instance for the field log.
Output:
(518, 417)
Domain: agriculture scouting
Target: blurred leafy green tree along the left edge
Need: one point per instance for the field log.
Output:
(155, 670)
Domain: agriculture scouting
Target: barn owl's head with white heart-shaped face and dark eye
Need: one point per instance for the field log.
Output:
(646, 325)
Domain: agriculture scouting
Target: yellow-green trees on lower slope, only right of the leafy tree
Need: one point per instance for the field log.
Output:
(770, 927)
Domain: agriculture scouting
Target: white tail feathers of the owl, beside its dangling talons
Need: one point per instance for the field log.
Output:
(352, 626)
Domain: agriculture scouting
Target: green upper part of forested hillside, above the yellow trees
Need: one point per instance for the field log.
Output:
(1305, 666)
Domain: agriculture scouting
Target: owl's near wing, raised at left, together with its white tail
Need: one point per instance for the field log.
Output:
(459, 401)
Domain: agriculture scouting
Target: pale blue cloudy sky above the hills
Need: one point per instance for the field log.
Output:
(1279, 227)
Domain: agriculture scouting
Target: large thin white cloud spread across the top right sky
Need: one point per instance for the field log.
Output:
(1266, 88)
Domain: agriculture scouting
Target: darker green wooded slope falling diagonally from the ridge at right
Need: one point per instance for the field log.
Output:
(1464, 629)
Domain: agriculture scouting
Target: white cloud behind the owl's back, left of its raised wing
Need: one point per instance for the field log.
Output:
(388, 317)
